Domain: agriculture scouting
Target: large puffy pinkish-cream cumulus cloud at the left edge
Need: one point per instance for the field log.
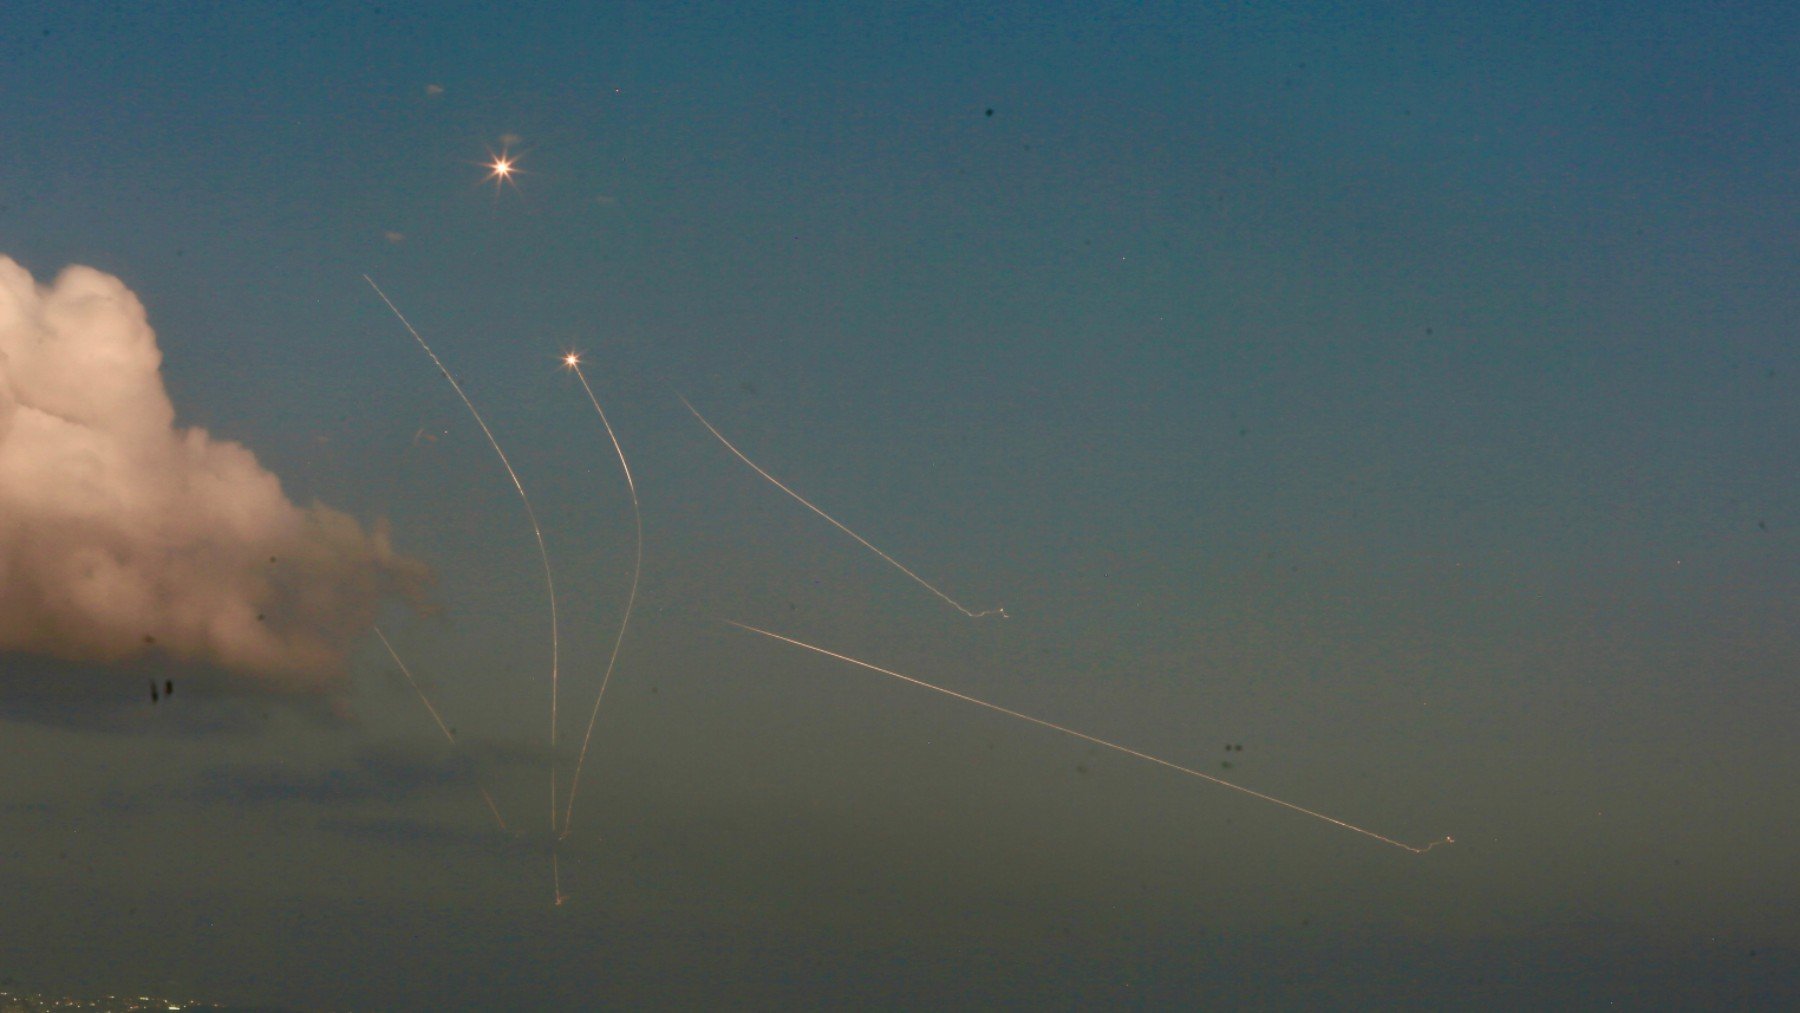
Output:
(125, 535)
